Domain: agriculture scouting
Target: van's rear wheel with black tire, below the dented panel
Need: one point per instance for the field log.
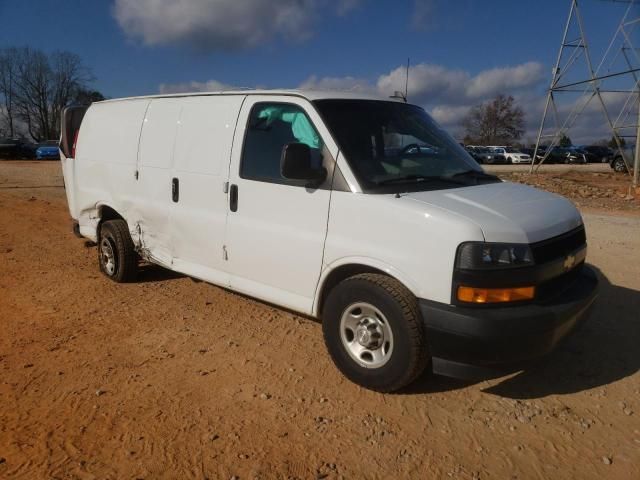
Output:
(116, 253)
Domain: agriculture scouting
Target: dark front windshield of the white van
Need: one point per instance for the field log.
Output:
(396, 147)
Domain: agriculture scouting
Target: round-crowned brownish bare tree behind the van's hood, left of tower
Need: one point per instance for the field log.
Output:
(498, 122)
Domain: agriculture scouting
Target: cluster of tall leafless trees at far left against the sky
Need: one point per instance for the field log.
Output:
(38, 86)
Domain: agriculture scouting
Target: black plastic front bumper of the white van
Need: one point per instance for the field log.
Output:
(497, 336)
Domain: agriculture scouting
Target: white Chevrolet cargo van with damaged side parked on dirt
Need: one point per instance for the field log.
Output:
(359, 211)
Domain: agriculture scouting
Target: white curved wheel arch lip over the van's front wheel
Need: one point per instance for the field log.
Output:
(348, 267)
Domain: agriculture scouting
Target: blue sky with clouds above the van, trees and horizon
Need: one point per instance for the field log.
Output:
(135, 46)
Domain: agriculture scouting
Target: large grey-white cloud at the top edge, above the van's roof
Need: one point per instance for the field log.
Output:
(222, 24)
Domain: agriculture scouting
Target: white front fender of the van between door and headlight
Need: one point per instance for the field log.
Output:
(412, 242)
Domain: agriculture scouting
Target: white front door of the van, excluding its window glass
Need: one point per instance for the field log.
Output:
(275, 239)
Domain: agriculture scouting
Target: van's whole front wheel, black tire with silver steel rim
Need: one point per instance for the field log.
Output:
(374, 333)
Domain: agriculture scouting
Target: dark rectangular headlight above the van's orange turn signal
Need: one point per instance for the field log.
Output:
(481, 255)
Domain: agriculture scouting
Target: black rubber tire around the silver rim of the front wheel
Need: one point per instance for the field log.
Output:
(409, 354)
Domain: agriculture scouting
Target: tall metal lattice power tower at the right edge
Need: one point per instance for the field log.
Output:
(592, 87)
